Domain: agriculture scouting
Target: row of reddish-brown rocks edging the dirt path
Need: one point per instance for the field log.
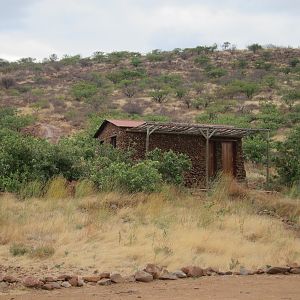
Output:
(149, 273)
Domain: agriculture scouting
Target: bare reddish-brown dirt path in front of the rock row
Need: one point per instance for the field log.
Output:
(228, 287)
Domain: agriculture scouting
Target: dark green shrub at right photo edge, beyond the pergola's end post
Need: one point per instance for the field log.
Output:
(287, 160)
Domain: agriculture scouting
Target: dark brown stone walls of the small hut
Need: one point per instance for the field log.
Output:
(193, 146)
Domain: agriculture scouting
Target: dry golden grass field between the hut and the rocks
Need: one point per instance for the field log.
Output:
(123, 232)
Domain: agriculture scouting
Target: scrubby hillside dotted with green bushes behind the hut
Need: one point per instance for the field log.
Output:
(239, 87)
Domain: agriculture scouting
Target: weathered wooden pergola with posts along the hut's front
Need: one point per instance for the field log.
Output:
(207, 131)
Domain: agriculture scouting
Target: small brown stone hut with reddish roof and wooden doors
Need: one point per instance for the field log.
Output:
(211, 148)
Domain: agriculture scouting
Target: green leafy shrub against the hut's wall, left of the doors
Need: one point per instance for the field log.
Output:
(172, 166)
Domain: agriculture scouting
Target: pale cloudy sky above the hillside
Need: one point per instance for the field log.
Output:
(38, 28)
